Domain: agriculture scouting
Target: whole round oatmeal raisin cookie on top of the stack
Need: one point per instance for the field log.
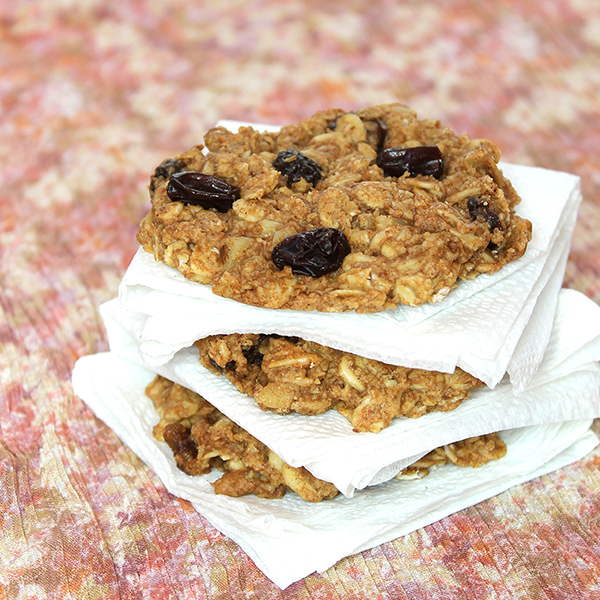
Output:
(344, 211)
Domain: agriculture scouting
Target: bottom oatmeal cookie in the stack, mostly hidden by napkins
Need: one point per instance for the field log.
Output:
(203, 439)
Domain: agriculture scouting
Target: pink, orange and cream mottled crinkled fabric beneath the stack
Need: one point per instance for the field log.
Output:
(93, 95)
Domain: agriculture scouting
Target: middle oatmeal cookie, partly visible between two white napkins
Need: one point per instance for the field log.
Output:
(285, 374)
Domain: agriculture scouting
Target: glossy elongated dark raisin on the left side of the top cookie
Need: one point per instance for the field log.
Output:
(192, 187)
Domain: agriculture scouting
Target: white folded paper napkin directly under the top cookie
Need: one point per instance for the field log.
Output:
(482, 326)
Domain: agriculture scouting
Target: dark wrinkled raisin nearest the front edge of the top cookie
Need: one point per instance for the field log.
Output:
(315, 252)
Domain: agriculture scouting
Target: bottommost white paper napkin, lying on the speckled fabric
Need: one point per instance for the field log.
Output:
(290, 538)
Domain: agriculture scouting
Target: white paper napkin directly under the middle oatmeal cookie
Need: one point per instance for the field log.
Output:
(565, 387)
